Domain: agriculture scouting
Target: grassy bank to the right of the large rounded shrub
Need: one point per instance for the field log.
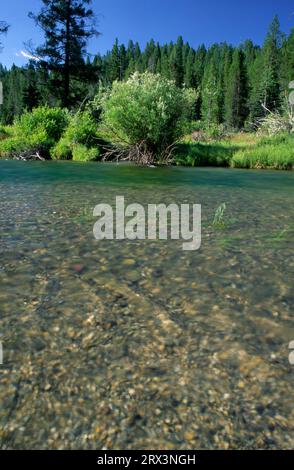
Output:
(239, 151)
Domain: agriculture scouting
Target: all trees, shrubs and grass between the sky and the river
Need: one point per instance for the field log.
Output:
(222, 105)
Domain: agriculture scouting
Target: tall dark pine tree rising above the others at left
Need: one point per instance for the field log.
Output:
(67, 26)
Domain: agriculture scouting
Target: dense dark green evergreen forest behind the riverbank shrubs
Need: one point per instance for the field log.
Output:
(236, 85)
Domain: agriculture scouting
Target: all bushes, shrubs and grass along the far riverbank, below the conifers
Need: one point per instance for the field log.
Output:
(147, 120)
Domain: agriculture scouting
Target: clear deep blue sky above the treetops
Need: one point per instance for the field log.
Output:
(197, 21)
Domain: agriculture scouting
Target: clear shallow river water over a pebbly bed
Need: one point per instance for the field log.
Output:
(140, 345)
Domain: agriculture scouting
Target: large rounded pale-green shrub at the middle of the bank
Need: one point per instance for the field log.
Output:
(146, 115)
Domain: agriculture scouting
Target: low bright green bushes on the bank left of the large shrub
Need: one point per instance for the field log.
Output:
(52, 132)
